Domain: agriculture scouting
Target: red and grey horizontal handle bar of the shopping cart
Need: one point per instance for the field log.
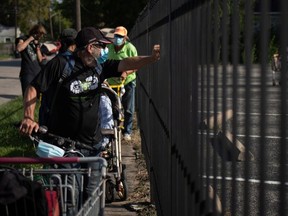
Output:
(32, 160)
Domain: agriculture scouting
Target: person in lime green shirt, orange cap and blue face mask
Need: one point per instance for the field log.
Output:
(120, 49)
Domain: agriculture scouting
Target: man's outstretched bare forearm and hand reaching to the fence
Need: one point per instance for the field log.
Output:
(137, 62)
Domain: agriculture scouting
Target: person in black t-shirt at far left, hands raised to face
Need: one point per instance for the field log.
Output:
(31, 57)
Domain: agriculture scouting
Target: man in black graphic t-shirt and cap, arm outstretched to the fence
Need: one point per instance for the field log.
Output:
(75, 111)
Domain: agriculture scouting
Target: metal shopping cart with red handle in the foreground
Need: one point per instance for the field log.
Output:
(58, 187)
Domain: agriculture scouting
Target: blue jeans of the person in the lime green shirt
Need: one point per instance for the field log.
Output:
(128, 102)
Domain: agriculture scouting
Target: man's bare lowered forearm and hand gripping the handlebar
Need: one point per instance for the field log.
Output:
(28, 125)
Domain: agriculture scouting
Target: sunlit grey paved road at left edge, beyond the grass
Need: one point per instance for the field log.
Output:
(9, 79)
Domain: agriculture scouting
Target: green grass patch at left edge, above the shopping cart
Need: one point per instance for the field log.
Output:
(12, 143)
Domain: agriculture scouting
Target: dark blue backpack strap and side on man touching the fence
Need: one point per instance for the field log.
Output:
(45, 106)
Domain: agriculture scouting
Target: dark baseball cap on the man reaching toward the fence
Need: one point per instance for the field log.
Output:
(88, 35)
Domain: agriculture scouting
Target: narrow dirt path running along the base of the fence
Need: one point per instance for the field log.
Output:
(138, 199)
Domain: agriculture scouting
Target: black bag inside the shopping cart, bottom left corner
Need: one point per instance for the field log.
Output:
(20, 195)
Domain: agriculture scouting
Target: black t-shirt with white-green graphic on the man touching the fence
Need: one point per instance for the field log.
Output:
(75, 110)
